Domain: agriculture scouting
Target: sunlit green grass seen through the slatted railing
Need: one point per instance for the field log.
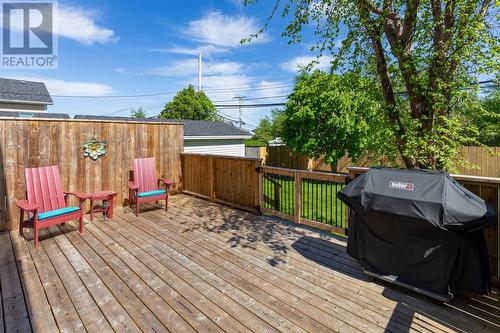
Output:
(319, 199)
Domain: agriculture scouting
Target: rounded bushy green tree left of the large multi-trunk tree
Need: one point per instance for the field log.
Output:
(333, 115)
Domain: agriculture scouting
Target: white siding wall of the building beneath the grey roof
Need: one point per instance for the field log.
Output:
(233, 147)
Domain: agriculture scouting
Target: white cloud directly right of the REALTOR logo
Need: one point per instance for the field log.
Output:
(80, 24)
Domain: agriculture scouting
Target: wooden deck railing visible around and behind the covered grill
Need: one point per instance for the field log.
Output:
(487, 188)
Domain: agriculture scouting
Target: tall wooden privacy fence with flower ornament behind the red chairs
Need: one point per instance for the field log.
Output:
(41, 142)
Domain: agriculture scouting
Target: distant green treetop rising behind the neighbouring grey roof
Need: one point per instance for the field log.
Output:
(190, 104)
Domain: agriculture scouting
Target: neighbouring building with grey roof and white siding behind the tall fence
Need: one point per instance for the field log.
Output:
(203, 137)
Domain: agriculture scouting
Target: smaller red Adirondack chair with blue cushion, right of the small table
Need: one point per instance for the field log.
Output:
(146, 186)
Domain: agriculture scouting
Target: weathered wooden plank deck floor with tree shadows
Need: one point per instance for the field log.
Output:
(208, 268)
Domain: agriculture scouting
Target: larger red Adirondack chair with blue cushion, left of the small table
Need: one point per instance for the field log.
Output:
(47, 203)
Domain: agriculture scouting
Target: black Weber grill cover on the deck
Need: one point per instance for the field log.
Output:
(421, 226)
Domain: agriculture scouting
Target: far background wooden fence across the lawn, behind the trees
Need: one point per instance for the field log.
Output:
(487, 161)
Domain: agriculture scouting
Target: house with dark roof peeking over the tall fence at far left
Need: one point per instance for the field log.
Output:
(24, 98)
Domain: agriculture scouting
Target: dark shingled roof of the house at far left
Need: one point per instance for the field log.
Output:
(12, 91)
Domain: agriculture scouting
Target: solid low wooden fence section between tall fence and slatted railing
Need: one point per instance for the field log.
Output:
(232, 181)
